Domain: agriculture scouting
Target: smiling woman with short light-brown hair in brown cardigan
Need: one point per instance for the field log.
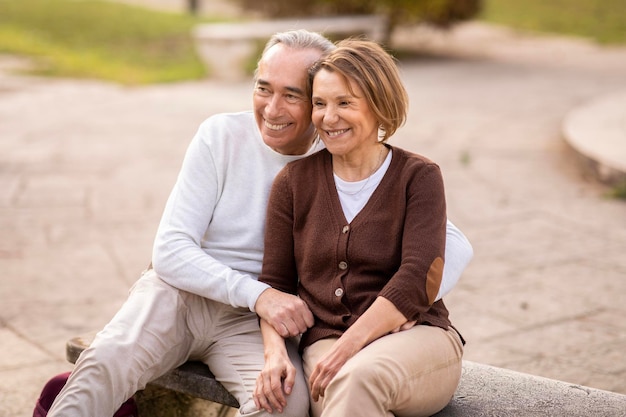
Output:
(358, 232)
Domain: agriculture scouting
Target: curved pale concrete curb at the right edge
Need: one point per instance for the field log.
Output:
(597, 133)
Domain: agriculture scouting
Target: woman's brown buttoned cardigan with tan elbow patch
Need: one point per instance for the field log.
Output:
(393, 248)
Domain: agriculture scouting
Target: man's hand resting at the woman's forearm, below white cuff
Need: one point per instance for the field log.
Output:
(286, 313)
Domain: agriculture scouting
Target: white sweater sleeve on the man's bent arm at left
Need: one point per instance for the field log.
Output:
(178, 257)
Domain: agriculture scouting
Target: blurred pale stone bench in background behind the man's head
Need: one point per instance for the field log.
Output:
(228, 48)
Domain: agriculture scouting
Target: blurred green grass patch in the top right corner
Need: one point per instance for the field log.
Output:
(603, 21)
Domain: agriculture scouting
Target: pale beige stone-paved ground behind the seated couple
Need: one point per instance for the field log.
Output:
(85, 168)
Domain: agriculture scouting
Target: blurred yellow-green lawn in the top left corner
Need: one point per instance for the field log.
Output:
(99, 39)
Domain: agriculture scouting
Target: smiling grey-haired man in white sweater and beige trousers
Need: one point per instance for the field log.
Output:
(201, 299)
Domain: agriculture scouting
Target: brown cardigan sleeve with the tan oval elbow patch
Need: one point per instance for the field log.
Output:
(414, 286)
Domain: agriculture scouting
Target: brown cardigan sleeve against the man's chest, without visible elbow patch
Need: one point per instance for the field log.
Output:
(279, 265)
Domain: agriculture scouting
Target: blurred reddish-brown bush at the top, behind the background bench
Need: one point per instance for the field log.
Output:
(441, 13)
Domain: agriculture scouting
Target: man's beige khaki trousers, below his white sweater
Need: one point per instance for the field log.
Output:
(158, 329)
